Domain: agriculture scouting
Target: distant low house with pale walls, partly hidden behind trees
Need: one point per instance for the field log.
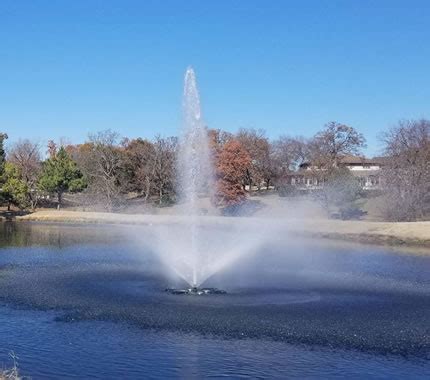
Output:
(367, 170)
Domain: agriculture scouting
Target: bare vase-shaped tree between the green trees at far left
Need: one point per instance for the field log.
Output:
(26, 157)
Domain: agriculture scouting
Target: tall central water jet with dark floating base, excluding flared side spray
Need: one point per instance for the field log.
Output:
(196, 179)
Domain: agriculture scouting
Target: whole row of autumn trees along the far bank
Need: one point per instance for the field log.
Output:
(108, 169)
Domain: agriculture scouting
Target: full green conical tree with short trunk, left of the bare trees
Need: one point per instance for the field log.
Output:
(61, 174)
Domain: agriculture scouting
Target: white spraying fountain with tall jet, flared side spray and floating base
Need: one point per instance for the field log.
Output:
(199, 246)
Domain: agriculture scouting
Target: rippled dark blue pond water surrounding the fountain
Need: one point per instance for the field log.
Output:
(88, 302)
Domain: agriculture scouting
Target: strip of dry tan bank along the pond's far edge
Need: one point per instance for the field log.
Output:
(397, 234)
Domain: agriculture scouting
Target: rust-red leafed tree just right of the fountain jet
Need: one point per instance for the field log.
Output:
(233, 162)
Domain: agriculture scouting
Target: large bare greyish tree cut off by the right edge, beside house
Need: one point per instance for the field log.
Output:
(406, 173)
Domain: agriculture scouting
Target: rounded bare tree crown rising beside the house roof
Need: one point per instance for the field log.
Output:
(334, 142)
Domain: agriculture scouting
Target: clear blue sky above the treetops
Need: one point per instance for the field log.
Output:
(68, 68)
